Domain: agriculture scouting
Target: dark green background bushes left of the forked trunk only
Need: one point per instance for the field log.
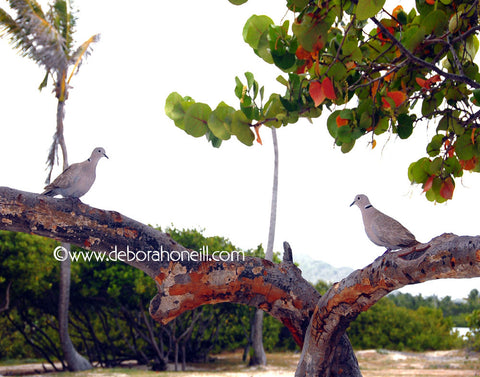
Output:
(109, 318)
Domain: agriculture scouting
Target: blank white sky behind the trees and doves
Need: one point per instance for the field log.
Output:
(158, 174)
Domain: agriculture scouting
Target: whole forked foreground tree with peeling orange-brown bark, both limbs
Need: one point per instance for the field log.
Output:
(316, 323)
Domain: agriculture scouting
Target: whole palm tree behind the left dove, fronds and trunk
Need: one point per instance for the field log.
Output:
(47, 39)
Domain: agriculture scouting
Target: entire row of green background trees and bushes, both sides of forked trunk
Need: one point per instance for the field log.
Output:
(110, 322)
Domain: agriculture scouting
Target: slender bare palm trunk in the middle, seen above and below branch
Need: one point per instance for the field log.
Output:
(258, 357)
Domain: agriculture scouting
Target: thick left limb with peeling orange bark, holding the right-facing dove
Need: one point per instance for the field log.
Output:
(279, 289)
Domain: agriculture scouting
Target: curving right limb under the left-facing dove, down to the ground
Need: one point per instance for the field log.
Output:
(448, 256)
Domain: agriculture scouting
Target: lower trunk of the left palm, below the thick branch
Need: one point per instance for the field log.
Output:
(75, 361)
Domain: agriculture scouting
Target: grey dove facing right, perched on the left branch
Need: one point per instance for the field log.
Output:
(76, 180)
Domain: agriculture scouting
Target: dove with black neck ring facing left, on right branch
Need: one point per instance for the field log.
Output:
(382, 229)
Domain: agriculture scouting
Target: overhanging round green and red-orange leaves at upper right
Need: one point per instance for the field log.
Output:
(375, 75)
